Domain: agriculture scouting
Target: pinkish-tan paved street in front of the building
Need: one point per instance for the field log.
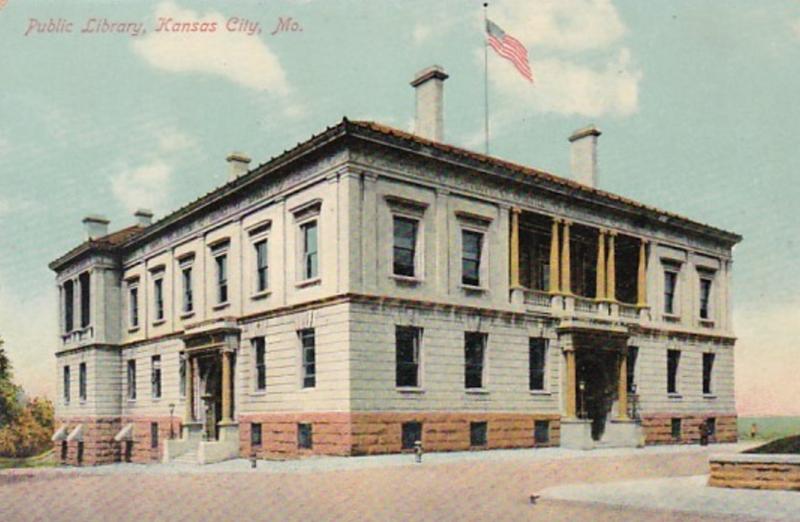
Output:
(493, 485)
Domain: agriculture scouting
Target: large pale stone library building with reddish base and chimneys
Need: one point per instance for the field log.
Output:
(372, 287)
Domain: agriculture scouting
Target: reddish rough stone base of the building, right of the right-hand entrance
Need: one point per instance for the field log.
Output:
(658, 428)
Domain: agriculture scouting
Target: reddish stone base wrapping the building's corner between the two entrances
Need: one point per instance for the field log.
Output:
(379, 433)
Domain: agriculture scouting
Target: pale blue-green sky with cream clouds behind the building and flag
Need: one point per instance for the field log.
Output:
(697, 102)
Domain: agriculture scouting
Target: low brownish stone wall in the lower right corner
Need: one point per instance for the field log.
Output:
(755, 472)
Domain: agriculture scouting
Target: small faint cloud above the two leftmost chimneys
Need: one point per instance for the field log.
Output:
(146, 186)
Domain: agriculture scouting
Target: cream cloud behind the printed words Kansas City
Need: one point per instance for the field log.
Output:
(238, 57)
